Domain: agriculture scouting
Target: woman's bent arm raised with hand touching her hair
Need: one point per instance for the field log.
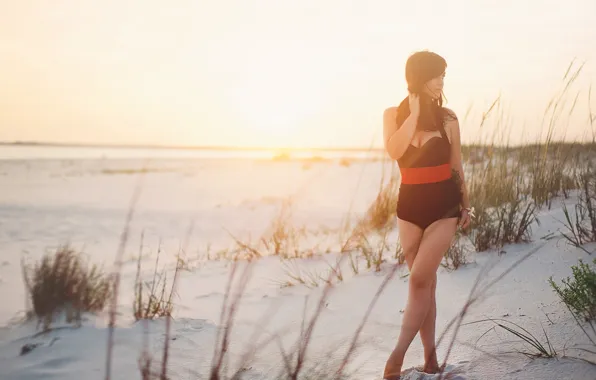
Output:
(398, 137)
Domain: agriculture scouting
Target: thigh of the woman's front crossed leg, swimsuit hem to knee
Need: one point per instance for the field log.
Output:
(436, 240)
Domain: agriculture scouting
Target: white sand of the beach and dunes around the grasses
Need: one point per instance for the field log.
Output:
(46, 203)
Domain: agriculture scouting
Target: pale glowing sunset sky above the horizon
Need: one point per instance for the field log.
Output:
(282, 73)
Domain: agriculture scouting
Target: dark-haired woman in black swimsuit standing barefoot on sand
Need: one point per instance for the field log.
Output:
(424, 138)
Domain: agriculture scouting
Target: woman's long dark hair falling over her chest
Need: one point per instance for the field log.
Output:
(421, 67)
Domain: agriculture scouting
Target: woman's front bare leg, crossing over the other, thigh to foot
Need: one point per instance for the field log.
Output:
(435, 242)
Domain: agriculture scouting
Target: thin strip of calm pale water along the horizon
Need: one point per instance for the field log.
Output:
(20, 152)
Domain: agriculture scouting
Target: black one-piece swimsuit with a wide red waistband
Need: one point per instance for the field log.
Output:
(433, 193)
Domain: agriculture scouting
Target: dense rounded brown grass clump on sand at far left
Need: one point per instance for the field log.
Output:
(63, 282)
